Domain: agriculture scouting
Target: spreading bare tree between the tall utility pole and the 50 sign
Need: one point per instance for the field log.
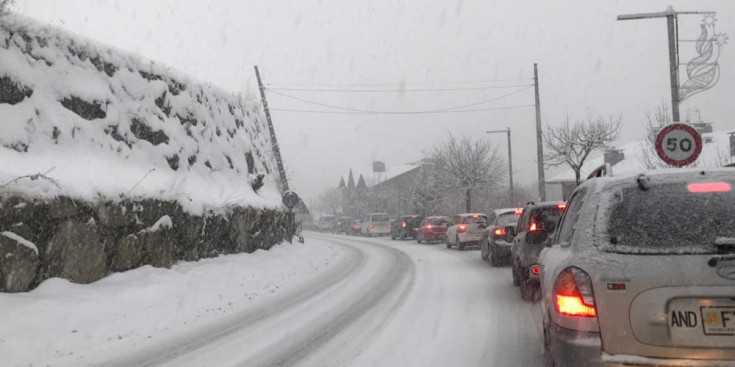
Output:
(571, 144)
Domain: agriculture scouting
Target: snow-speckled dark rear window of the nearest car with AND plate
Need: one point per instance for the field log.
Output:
(668, 218)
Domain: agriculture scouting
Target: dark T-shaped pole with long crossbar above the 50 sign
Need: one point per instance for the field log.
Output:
(672, 25)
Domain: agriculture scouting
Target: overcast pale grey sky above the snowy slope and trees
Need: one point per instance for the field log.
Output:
(589, 64)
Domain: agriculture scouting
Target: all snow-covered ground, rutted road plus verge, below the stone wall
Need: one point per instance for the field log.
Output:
(335, 301)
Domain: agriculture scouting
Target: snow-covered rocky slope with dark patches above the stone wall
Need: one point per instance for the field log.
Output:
(103, 123)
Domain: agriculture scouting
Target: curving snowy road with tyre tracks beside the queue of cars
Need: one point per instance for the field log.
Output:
(387, 303)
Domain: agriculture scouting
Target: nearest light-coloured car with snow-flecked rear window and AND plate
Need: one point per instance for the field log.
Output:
(642, 272)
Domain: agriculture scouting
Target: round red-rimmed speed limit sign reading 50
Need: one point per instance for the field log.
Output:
(678, 144)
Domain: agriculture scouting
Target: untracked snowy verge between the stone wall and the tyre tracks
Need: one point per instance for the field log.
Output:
(61, 323)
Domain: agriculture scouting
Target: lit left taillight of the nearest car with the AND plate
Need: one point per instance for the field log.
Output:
(573, 294)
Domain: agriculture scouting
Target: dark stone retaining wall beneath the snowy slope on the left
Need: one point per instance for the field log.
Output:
(83, 241)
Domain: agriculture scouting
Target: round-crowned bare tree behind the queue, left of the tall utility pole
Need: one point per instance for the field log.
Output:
(468, 165)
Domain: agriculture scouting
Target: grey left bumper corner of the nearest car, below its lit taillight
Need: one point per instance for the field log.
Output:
(572, 348)
